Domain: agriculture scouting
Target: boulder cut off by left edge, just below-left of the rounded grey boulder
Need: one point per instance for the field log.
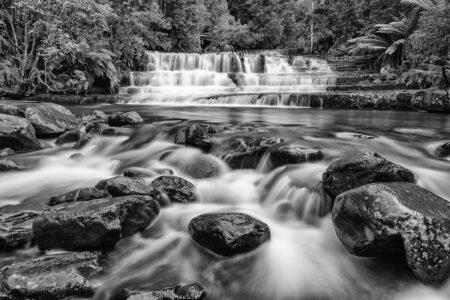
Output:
(18, 134)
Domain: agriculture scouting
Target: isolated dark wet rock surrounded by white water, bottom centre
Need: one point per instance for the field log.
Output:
(228, 234)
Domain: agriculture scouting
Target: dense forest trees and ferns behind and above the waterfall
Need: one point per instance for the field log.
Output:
(71, 46)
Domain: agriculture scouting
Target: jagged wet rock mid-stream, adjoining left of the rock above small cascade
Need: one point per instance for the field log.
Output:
(246, 152)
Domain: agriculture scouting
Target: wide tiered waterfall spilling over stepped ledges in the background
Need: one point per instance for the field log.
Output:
(229, 78)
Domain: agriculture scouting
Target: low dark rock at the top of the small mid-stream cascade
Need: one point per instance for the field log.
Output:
(281, 155)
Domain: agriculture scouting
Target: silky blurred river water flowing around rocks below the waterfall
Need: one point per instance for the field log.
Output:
(303, 259)
